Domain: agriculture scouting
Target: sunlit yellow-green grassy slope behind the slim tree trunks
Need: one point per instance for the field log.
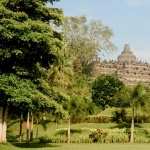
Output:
(142, 131)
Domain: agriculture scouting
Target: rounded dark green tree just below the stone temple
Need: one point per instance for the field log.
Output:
(104, 89)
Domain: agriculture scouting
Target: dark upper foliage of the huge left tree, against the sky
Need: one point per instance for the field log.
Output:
(27, 39)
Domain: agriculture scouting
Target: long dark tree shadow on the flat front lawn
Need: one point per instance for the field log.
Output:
(34, 145)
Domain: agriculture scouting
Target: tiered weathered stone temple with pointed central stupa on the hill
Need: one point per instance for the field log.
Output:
(128, 68)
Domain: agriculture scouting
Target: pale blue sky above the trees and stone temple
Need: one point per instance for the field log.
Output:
(129, 20)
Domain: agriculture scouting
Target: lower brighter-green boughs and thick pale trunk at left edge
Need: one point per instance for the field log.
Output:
(13, 93)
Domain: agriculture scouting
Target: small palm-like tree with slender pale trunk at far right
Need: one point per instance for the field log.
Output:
(132, 97)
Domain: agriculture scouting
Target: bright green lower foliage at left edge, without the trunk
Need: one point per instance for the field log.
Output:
(14, 90)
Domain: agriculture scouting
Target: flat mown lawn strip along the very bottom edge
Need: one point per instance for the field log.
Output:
(78, 147)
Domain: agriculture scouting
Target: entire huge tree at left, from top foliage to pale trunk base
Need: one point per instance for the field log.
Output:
(29, 43)
